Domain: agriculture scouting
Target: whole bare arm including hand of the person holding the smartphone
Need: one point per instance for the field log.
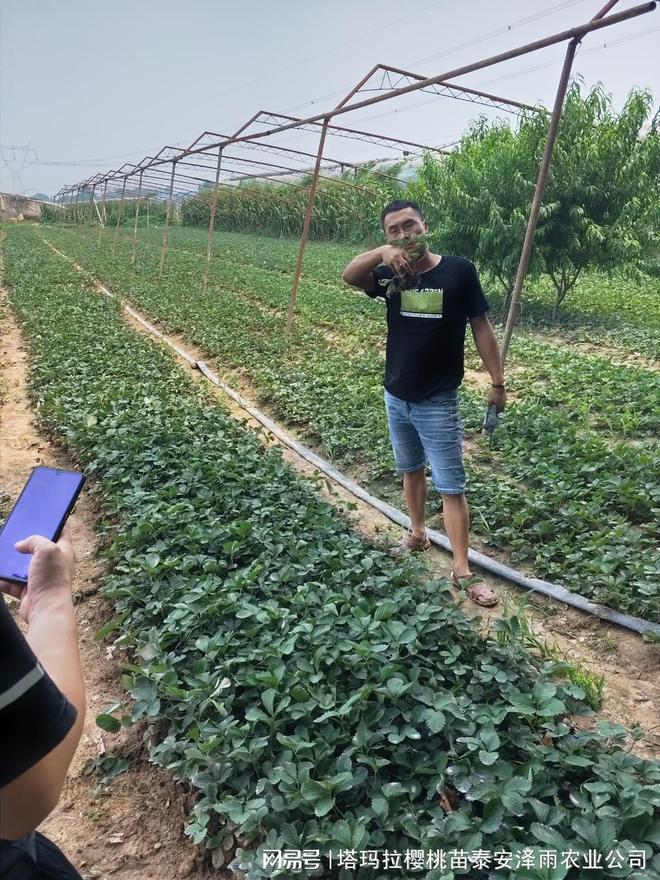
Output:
(47, 606)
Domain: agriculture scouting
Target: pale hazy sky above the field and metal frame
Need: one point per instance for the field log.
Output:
(91, 84)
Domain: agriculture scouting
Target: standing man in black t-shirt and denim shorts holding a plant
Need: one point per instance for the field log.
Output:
(430, 298)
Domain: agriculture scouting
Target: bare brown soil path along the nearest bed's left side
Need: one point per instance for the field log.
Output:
(133, 828)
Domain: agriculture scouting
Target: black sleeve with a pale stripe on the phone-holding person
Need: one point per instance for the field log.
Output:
(35, 716)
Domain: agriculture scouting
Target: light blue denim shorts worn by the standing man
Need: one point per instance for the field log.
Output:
(428, 431)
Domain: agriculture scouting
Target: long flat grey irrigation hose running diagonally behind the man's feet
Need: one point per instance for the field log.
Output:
(554, 591)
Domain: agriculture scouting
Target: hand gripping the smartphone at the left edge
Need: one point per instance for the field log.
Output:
(50, 574)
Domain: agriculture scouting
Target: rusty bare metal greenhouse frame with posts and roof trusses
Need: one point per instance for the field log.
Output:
(177, 172)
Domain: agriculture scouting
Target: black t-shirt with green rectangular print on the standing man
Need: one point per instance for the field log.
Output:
(426, 327)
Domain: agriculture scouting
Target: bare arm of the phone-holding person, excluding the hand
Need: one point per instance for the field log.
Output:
(52, 635)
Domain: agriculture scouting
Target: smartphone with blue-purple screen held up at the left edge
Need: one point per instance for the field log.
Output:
(42, 508)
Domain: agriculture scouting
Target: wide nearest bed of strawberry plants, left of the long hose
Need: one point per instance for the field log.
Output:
(315, 692)
